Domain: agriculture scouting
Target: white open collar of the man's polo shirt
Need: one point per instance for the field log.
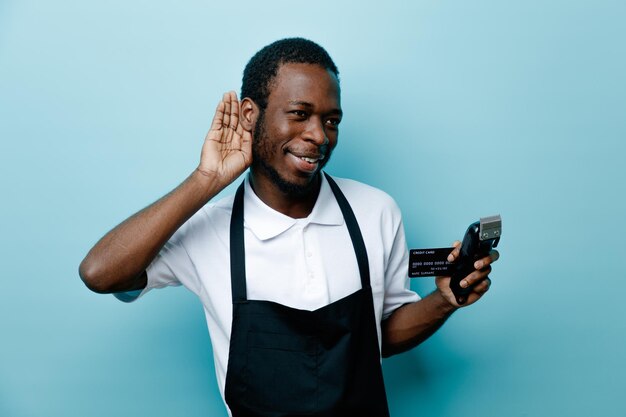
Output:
(266, 223)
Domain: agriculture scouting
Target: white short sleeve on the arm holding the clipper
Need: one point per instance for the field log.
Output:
(397, 286)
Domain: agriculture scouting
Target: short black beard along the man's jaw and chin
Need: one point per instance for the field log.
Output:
(261, 152)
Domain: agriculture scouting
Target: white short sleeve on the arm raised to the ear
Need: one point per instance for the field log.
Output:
(171, 267)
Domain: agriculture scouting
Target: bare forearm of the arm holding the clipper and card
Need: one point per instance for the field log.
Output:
(413, 323)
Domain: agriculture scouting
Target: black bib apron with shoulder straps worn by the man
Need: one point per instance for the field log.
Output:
(289, 362)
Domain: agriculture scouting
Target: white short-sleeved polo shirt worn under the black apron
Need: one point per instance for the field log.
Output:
(301, 263)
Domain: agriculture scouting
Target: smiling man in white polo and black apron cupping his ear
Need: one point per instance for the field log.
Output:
(303, 278)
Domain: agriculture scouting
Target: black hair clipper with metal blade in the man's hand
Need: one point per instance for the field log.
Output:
(478, 241)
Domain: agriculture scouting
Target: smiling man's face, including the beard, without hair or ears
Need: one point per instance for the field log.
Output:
(295, 135)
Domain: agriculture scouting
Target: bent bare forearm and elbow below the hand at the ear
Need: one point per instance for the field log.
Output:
(118, 261)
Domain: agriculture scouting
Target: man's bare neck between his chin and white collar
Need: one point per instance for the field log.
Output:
(296, 205)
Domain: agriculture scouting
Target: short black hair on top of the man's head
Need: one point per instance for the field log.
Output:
(263, 66)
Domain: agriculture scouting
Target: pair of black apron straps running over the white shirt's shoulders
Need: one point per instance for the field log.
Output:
(237, 246)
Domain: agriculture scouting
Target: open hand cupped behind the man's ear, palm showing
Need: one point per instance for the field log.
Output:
(227, 149)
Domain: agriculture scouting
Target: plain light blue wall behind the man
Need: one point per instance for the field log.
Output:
(457, 109)
